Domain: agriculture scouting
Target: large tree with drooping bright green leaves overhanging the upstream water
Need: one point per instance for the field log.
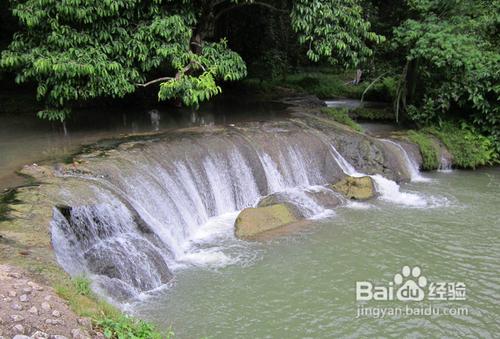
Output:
(77, 50)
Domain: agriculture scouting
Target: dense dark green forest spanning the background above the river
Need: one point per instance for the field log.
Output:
(435, 61)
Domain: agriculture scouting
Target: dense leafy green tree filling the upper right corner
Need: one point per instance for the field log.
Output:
(453, 62)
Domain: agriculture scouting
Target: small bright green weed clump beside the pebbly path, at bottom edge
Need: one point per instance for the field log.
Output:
(129, 328)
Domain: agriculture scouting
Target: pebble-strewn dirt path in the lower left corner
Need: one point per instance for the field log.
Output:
(30, 310)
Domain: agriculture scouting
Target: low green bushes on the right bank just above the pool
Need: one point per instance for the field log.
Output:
(468, 147)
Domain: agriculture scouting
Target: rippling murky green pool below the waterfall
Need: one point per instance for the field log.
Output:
(303, 285)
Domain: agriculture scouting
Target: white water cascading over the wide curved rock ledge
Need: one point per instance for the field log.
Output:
(160, 206)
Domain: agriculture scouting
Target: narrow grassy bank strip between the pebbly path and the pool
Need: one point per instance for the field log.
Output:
(105, 317)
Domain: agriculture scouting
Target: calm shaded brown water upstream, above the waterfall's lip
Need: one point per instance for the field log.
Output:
(26, 139)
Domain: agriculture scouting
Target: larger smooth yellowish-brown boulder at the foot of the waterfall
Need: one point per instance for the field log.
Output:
(253, 221)
